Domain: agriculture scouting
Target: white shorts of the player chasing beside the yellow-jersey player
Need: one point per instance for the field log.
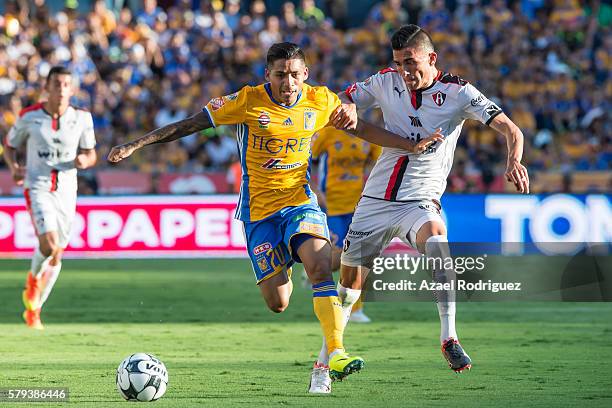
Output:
(376, 222)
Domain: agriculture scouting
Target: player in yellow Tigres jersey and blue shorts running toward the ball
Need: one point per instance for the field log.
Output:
(283, 223)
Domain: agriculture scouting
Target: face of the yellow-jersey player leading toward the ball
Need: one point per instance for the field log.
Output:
(286, 79)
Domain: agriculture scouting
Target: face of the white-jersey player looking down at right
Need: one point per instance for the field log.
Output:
(417, 66)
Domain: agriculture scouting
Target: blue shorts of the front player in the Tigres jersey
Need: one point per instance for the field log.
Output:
(273, 242)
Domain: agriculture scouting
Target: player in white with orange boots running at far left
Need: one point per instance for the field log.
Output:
(59, 139)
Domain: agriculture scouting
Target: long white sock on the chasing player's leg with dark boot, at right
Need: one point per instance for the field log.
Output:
(435, 247)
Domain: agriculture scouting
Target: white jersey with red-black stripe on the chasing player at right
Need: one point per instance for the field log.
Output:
(446, 104)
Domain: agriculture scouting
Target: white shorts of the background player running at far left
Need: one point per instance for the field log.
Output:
(52, 211)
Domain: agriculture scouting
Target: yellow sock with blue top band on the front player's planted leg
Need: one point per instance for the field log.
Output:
(328, 309)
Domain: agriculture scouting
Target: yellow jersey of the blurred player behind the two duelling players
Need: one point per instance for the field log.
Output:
(342, 165)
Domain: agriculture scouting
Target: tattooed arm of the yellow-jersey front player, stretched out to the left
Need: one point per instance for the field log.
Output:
(168, 133)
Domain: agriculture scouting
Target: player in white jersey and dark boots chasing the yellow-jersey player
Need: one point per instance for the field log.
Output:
(401, 196)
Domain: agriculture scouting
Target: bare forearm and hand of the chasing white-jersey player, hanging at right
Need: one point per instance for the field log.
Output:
(516, 173)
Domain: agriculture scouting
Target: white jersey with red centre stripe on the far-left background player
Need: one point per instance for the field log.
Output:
(52, 145)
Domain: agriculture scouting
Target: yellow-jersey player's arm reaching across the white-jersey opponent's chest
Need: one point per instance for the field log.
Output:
(384, 138)
